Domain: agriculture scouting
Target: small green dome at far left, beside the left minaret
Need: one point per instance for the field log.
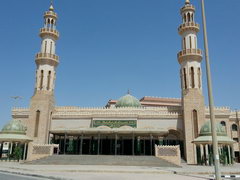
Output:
(14, 126)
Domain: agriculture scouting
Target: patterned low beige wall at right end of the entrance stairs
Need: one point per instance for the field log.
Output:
(169, 153)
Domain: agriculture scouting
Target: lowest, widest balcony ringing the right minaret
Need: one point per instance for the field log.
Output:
(190, 54)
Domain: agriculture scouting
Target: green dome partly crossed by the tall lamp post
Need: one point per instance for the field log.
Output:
(206, 129)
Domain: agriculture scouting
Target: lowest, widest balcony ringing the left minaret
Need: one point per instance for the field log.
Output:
(47, 58)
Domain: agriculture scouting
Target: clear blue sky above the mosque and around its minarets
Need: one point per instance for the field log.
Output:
(108, 46)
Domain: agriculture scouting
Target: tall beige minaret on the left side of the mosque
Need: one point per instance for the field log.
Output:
(42, 102)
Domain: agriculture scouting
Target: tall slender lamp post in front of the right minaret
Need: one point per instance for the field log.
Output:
(210, 98)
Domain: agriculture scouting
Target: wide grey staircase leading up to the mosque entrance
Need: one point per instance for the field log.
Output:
(103, 160)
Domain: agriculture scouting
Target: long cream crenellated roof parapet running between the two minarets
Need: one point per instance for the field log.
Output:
(77, 112)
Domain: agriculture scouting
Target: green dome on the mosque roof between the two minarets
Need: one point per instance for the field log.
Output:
(128, 101)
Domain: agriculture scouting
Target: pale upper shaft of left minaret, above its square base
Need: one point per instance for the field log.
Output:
(46, 59)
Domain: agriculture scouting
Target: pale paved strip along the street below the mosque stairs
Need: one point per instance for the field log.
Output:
(99, 172)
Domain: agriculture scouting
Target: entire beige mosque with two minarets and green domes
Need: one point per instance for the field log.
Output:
(127, 126)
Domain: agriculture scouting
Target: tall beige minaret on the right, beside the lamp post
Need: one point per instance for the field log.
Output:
(190, 58)
